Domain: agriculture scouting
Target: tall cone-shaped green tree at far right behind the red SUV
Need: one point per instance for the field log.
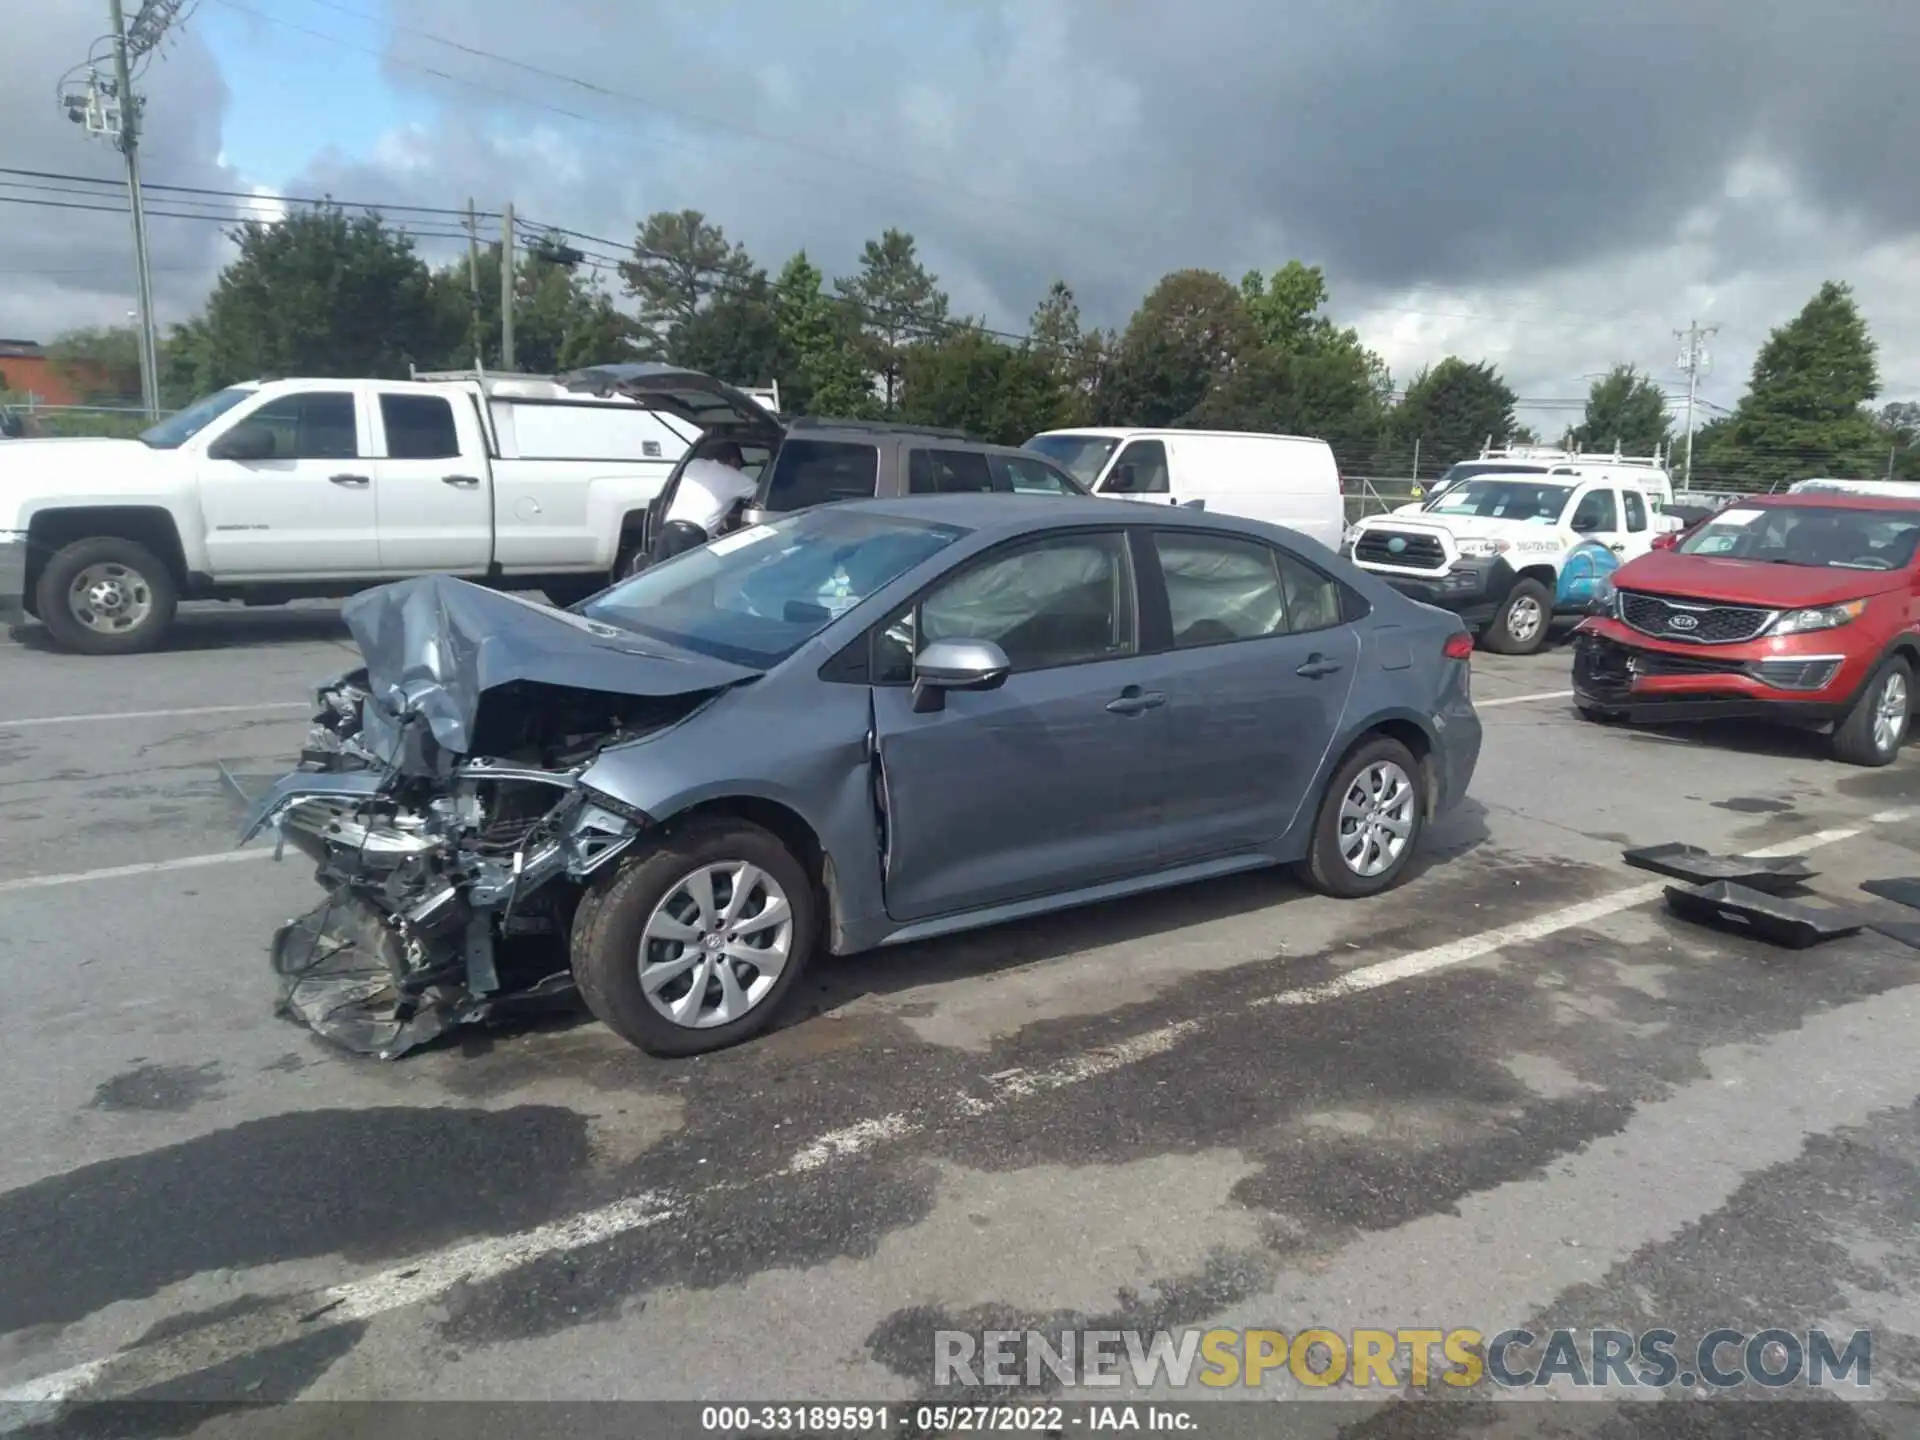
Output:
(1806, 406)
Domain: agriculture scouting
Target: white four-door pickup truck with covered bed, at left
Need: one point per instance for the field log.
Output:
(314, 489)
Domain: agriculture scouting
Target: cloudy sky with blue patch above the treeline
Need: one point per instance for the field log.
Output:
(1554, 187)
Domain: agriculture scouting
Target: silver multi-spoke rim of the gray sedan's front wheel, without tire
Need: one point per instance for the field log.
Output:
(715, 946)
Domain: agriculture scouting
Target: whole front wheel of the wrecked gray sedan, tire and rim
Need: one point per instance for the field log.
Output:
(698, 946)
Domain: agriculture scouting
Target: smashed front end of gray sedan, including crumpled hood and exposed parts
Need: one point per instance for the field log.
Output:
(441, 798)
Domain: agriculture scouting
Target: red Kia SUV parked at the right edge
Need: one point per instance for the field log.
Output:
(1794, 608)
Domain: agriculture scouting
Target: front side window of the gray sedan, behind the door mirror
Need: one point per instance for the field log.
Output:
(1055, 602)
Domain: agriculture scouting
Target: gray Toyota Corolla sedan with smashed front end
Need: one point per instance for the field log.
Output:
(853, 727)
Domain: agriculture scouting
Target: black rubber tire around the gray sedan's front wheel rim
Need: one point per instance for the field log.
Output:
(608, 938)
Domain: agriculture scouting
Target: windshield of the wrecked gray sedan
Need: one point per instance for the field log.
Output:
(757, 596)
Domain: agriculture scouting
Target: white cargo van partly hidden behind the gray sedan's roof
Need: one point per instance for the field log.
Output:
(1280, 479)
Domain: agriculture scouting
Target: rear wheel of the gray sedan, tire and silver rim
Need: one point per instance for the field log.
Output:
(1370, 823)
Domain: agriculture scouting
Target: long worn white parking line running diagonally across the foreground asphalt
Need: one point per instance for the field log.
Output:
(433, 1276)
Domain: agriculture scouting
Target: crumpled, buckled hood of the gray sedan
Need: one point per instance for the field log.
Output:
(437, 646)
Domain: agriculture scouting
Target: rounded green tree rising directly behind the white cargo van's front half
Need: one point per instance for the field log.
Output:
(1186, 339)
